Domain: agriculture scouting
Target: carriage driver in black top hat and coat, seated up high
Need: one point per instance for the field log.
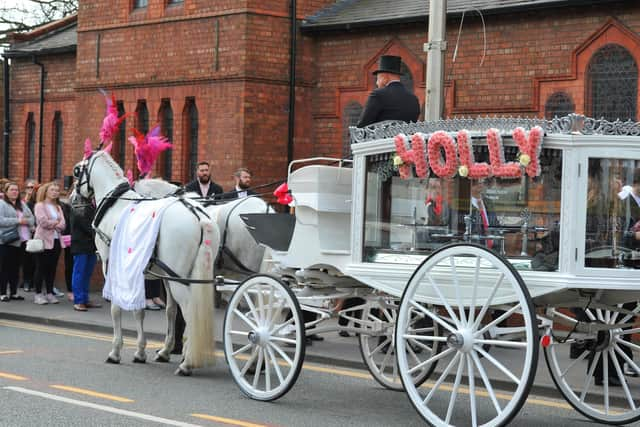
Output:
(391, 100)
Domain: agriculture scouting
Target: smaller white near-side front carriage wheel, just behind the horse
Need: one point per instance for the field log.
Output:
(264, 337)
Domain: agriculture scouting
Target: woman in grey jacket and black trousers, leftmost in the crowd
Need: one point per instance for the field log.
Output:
(14, 215)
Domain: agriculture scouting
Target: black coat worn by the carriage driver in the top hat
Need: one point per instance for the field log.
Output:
(392, 102)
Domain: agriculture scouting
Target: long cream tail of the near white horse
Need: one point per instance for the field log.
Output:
(200, 327)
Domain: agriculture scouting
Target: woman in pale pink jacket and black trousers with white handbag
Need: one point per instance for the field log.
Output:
(49, 226)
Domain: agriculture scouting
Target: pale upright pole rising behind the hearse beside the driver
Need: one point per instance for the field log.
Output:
(435, 48)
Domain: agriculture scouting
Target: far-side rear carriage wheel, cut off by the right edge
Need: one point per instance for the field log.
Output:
(609, 355)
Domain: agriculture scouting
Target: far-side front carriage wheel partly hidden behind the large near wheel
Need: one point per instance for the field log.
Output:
(378, 349)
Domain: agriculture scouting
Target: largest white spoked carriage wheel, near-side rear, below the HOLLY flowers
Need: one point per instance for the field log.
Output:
(488, 336)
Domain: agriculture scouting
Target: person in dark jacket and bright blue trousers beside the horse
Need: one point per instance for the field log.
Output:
(83, 250)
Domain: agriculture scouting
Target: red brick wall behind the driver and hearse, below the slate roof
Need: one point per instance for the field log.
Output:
(529, 56)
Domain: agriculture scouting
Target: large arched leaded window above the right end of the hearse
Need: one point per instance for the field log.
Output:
(612, 84)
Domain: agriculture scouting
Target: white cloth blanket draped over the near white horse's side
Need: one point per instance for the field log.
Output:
(132, 245)
